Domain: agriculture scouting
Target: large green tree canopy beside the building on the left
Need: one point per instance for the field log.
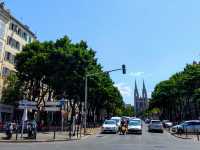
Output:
(52, 70)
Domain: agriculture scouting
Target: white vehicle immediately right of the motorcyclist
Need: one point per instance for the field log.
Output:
(135, 126)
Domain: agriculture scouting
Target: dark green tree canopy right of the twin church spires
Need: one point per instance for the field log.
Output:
(179, 97)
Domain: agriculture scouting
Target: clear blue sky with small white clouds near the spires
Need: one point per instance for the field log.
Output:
(153, 38)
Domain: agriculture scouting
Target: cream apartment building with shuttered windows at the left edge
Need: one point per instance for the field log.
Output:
(13, 36)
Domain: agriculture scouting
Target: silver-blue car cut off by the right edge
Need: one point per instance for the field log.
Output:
(187, 126)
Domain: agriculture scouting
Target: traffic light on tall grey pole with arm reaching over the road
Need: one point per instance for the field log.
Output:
(86, 78)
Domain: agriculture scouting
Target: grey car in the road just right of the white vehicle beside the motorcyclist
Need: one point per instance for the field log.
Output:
(155, 125)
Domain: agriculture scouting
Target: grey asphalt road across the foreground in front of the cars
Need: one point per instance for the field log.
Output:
(146, 141)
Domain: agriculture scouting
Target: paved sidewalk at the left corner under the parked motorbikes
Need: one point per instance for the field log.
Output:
(49, 136)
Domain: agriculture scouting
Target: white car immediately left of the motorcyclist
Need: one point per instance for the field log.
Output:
(109, 126)
